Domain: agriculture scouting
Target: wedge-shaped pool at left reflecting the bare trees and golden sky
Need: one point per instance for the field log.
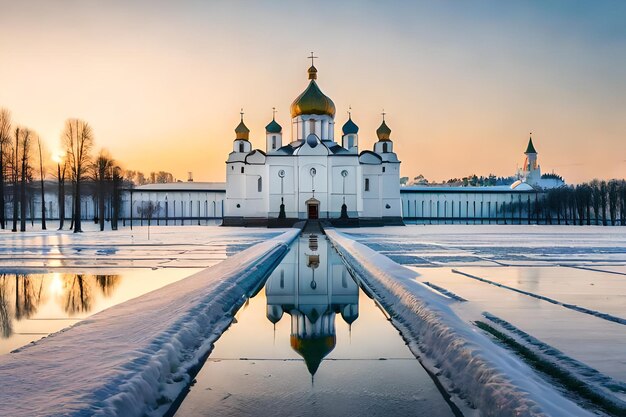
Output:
(35, 305)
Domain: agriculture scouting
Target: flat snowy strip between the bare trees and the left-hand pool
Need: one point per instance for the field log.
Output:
(167, 247)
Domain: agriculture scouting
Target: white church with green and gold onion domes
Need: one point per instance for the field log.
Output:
(311, 175)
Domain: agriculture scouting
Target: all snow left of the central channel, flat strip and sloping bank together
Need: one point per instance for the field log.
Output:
(133, 358)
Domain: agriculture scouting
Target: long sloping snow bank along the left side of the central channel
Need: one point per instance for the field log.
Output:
(135, 358)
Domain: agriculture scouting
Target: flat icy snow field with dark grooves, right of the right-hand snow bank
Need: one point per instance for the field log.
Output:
(559, 292)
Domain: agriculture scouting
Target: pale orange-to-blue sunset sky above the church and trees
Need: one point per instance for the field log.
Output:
(462, 82)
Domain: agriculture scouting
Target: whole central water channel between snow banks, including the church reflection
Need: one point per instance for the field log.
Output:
(312, 343)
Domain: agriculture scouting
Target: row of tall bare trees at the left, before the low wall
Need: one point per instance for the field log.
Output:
(24, 162)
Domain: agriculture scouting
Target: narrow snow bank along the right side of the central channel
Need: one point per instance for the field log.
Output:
(473, 368)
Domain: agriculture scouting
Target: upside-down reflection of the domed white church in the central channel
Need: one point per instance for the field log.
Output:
(312, 285)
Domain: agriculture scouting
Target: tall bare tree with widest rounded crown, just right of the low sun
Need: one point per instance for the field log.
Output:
(77, 139)
